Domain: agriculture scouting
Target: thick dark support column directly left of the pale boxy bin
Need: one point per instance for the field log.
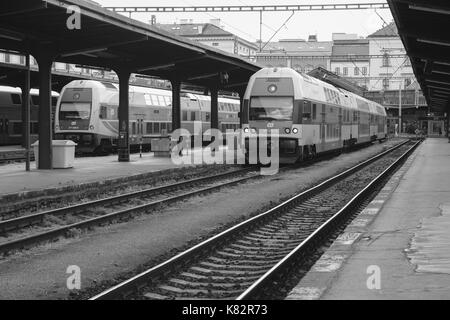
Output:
(45, 62)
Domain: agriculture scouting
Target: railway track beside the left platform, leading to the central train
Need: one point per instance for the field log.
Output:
(49, 225)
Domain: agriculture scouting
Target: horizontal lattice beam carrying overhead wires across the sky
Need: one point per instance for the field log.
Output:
(303, 7)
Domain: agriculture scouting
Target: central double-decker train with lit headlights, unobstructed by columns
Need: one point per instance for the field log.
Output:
(310, 116)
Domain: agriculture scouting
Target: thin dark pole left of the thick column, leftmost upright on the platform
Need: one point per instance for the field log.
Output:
(26, 113)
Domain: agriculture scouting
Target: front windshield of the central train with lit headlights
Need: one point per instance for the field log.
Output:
(271, 108)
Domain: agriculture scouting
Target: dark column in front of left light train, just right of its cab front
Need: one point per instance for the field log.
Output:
(124, 115)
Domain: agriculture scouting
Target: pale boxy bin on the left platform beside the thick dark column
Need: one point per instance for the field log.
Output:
(63, 153)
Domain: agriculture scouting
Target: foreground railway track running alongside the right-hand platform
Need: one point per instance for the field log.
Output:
(250, 259)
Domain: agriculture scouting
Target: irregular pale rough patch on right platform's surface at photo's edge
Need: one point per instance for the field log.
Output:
(430, 246)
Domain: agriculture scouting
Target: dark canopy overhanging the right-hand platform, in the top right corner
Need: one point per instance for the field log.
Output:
(424, 28)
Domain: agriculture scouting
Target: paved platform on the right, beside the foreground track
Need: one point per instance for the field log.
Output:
(398, 248)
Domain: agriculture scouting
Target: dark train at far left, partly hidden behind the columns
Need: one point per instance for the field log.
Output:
(11, 115)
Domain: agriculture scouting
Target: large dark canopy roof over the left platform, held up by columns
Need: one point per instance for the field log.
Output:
(112, 41)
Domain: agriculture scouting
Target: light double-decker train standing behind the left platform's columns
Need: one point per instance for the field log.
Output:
(87, 113)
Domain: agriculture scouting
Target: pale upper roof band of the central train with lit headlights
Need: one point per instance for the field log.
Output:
(314, 89)
